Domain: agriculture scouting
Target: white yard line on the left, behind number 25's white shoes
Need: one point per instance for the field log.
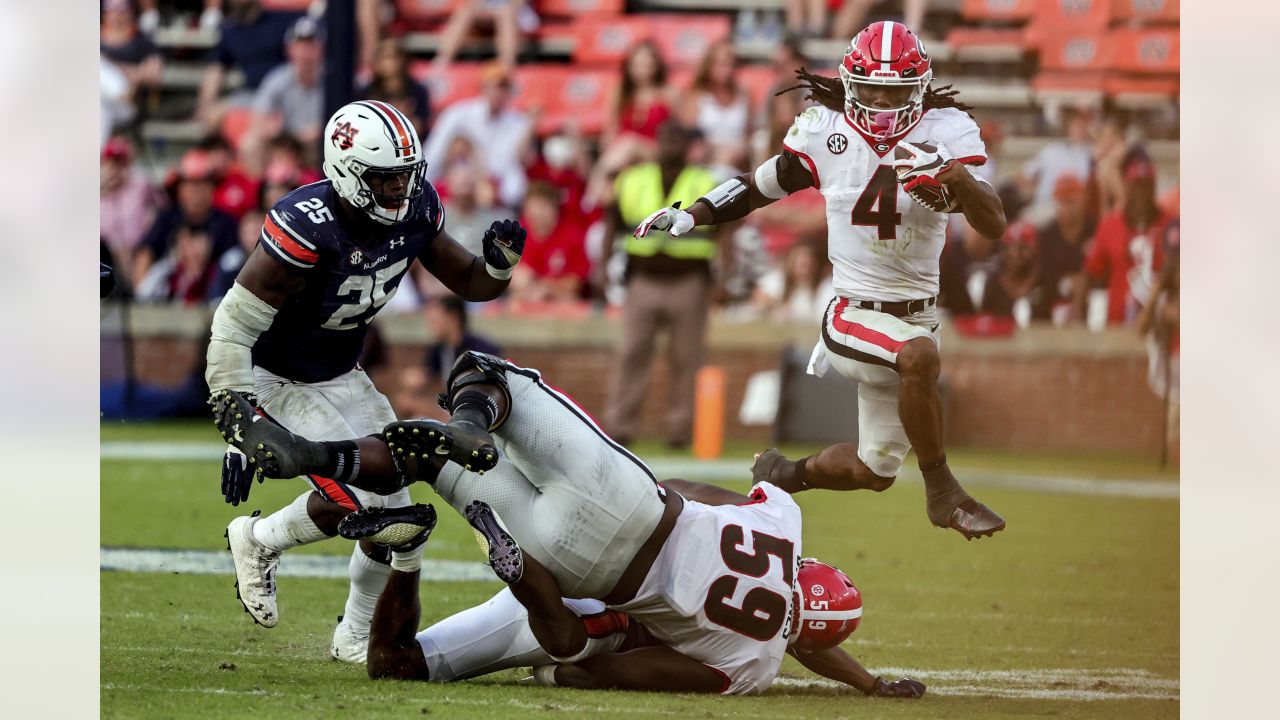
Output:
(207, 563)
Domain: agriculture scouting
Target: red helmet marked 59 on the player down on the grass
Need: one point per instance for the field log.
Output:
(830, 608)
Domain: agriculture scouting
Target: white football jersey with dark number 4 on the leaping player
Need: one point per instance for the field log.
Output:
(883, 244)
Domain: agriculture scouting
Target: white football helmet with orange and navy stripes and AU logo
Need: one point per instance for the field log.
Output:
(374, 161)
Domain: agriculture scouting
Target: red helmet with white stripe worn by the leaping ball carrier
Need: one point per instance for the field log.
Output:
(885, 54)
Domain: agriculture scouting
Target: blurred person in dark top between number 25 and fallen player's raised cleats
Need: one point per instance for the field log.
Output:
(447, 321)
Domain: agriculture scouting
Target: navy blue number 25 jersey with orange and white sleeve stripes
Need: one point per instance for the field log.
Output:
(319, 332)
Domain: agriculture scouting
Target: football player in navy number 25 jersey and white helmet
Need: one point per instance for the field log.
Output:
(290, 332)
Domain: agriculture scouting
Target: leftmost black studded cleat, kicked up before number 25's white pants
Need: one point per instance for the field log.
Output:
(272, 450)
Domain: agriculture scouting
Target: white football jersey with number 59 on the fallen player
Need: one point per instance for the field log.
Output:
(723, 589)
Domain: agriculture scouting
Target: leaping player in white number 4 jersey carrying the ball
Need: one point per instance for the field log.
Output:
(890, 156)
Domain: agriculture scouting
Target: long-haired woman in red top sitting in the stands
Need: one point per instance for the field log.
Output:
(641, 104)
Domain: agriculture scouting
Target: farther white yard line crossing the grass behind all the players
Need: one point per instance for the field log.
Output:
(725, 471)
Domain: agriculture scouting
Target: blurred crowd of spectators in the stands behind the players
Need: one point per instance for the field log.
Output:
(1086, 244)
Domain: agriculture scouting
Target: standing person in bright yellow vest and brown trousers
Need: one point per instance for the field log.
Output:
(670, 286)
